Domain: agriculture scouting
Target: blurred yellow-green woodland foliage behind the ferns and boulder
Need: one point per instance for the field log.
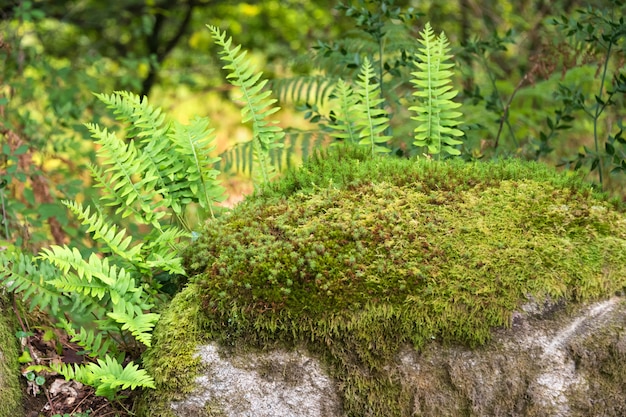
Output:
(540, 79)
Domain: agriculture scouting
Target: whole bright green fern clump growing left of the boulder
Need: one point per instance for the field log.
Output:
(152, 179)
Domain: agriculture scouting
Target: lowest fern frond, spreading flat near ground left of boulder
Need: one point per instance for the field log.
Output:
(107, 376)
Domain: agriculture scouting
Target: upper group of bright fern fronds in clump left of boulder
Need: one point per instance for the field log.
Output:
(174, 159)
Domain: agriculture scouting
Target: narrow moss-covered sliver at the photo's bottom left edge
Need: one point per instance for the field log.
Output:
(10, 391)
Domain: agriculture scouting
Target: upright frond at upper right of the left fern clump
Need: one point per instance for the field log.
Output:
(198, 182)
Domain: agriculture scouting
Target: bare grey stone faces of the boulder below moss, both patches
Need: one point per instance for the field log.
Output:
(549, 363)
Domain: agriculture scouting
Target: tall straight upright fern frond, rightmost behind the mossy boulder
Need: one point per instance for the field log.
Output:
(435, 110)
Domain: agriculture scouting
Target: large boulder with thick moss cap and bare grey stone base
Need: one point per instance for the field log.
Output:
(360, 286)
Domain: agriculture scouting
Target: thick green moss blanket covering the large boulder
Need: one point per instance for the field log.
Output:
(355, 258)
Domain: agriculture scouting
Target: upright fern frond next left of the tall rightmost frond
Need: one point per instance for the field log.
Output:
(373, 120)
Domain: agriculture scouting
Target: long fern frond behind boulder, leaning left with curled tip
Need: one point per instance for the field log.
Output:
(258, 105)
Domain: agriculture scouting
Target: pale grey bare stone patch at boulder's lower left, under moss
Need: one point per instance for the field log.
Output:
(272, 384)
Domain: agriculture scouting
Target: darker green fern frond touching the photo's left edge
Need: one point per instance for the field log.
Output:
(21, 275)
